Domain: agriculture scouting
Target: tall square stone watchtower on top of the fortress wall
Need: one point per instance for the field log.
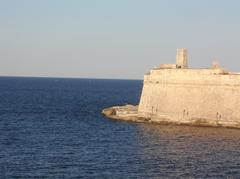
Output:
(182, 58)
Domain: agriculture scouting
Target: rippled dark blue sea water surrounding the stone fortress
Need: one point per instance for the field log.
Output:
(52, 128)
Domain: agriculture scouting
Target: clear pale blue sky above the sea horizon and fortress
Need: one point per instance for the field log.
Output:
(115, 39)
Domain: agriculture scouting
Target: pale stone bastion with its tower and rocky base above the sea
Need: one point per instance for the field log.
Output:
(176, 94)
